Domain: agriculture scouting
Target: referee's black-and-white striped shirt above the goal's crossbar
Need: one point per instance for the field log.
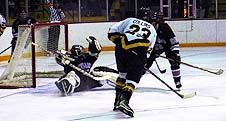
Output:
(55, 14)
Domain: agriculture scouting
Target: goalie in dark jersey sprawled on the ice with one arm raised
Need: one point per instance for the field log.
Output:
(77, 64)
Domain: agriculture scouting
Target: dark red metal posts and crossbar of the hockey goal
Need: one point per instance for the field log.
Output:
(34, 73)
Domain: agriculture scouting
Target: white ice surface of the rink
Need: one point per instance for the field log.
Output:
(151, 101)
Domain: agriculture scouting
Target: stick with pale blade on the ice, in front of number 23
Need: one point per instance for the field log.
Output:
(183, 96)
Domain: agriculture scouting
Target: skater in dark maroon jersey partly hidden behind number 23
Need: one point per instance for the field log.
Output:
(166, 42)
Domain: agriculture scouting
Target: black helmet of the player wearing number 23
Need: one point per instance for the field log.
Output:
(143, 13)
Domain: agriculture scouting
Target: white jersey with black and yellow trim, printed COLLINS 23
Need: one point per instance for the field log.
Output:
(136, 32)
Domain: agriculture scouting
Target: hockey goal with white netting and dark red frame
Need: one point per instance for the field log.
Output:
(29, 62)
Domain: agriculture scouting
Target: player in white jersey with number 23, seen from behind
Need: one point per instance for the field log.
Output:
(133, 37)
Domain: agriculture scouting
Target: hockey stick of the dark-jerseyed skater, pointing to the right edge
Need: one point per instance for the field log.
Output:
(219, 72)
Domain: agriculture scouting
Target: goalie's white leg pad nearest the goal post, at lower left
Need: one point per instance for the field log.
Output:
(68, 83)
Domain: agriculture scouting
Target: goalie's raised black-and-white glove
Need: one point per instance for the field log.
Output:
(94, 45)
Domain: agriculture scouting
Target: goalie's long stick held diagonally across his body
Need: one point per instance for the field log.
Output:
(77, 68)
